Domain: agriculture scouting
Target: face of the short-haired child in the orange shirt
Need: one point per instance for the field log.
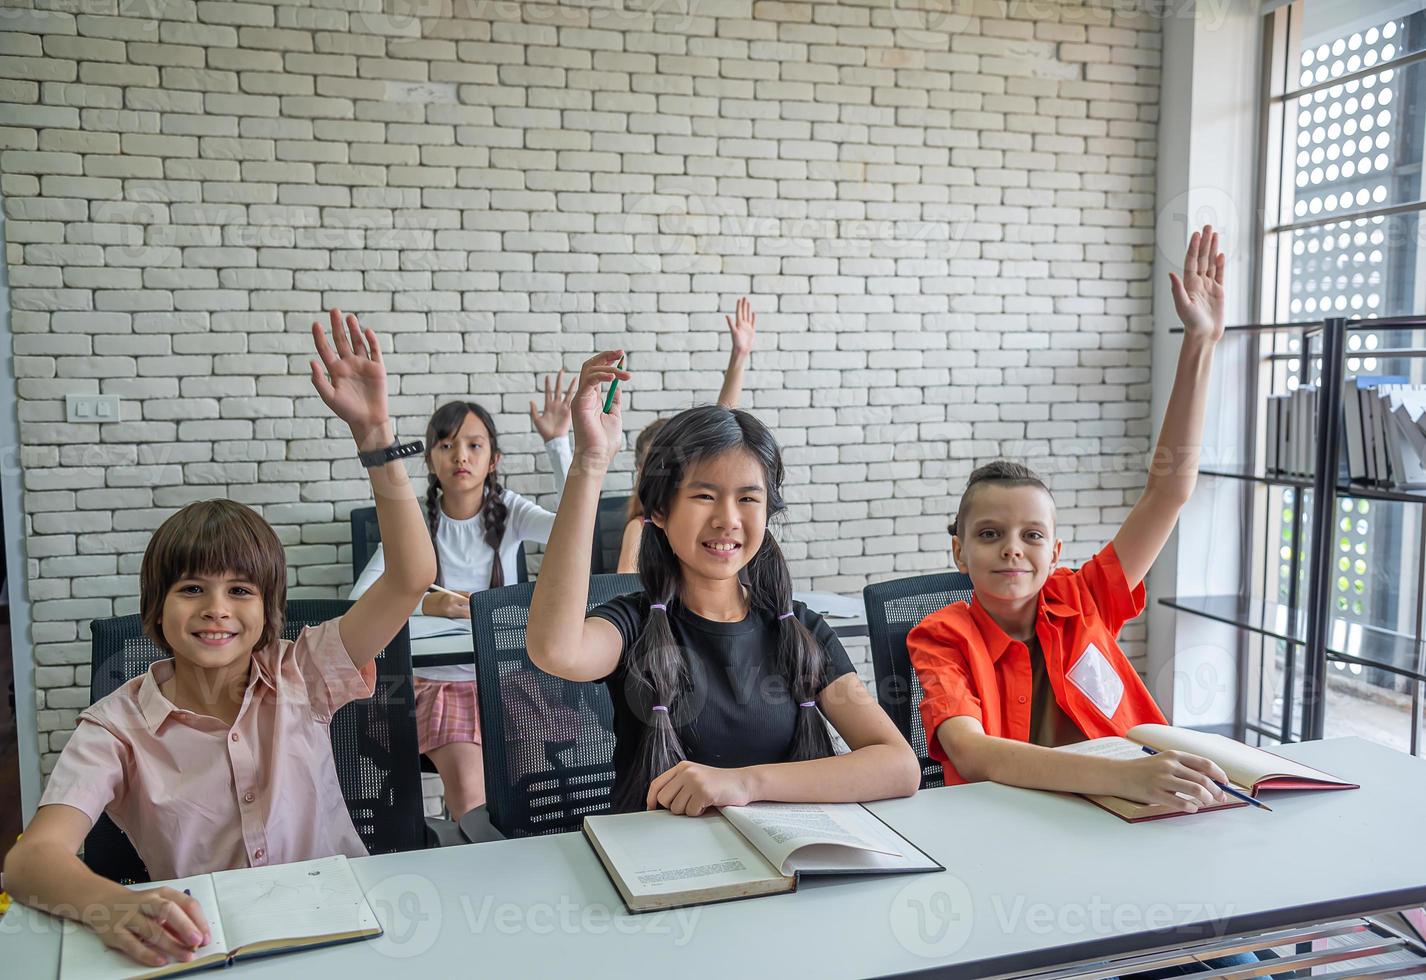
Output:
(1007, 544)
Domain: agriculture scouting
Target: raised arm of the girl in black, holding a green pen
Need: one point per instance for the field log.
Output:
(560, 640)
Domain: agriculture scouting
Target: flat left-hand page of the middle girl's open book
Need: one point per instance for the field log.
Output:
(657, 852)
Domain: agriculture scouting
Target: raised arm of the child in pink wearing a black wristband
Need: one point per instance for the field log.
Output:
(353, 382)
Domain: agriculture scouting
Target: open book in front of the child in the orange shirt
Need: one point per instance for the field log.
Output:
(1250, 771)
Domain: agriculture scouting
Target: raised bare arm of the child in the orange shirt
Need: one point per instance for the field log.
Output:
(1174, 467)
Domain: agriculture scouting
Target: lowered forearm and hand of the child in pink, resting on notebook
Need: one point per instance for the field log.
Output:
(155, 927)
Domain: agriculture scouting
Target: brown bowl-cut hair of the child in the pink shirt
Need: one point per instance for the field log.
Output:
(213, 539)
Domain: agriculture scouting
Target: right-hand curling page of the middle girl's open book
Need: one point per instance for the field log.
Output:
(779, 830)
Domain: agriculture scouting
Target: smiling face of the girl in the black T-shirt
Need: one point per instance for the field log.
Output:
(718, 516)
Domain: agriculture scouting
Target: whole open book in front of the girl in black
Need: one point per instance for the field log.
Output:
(662, 861)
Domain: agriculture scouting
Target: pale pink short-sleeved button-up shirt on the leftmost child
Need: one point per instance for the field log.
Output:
(199, 797)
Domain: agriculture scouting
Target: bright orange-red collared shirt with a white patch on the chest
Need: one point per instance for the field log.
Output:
(969, 665)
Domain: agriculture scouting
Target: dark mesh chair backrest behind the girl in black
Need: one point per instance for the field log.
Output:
(548, 744)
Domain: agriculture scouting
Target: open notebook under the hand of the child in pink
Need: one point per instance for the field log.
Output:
(253, 912)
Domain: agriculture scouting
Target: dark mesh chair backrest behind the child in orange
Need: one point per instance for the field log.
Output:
(893, 611)
